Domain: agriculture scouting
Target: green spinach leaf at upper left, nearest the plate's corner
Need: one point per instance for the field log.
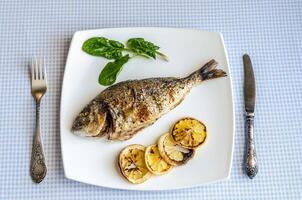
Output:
(100, 46)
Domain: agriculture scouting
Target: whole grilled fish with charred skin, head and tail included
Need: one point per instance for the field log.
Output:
(123, 109)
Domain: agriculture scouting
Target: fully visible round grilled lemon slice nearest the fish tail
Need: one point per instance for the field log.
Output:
(189, 133)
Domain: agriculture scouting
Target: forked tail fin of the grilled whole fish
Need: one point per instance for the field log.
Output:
(207, 72)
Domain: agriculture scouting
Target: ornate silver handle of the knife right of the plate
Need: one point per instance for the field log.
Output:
(251, 159)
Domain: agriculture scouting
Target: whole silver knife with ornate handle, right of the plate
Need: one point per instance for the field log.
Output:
(249, 100)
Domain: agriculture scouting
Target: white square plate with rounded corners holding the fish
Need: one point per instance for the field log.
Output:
(93, 160)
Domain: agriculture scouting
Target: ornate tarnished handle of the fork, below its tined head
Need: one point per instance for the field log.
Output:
(37, 164)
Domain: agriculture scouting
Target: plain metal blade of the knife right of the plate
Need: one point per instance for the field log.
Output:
(249, 85)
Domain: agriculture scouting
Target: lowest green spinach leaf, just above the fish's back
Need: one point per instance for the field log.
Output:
(111, 70)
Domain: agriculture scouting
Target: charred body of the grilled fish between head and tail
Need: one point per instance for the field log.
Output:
(138, 104)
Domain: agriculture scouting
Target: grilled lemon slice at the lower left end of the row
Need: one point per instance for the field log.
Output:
(132, 165)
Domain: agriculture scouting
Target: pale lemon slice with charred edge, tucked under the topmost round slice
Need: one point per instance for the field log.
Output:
(173, 153)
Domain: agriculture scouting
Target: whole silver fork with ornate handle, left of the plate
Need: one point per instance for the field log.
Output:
(38, 88)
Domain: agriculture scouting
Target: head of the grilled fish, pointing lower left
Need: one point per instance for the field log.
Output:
(91, 121)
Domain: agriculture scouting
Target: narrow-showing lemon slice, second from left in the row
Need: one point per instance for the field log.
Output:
(155, 162)
